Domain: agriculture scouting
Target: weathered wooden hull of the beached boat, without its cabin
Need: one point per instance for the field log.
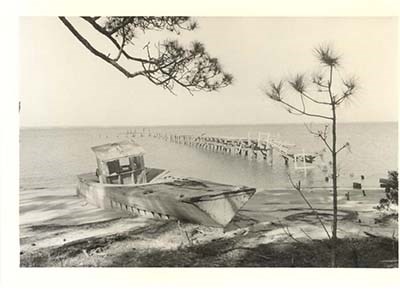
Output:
(192, 200)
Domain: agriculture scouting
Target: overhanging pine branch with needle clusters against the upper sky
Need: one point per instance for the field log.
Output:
(165, 63)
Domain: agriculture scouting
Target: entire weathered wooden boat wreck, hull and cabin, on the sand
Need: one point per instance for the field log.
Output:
(123, 182)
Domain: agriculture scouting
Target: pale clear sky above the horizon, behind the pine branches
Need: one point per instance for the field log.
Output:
(62, 84)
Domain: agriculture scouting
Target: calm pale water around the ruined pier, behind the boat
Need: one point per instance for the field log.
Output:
(53, 157)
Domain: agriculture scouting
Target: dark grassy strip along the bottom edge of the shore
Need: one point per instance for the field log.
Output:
(116, 252)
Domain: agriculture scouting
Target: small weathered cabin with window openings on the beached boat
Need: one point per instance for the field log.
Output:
(120, 163)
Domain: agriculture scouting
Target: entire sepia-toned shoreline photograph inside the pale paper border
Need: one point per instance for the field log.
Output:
(195, 141)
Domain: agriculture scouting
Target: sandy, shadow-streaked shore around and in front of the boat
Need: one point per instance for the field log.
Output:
(275, 228)
